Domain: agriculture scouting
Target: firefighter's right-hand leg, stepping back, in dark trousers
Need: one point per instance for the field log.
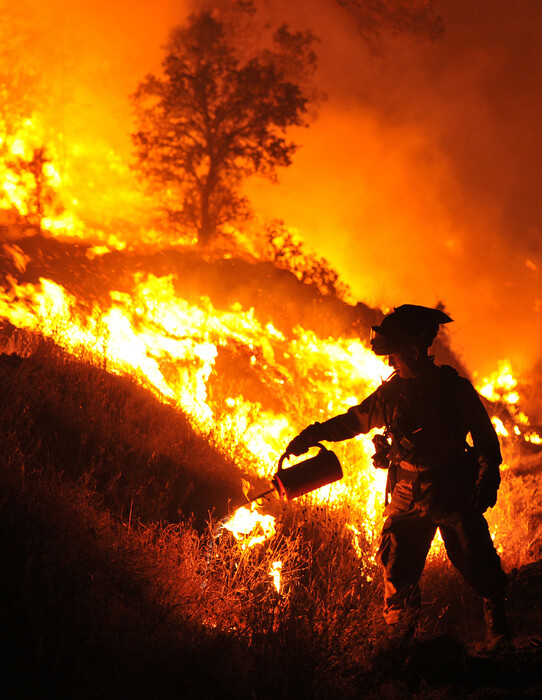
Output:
(471, 550)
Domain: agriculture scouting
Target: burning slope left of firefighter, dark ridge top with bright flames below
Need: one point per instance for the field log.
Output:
(244, 375)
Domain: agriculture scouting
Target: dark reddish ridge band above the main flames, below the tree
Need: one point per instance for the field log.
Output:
(275, 294)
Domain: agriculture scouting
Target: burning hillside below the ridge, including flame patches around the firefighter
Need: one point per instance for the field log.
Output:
(245, 350)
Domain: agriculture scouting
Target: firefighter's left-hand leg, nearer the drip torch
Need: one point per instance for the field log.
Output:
(405, 542)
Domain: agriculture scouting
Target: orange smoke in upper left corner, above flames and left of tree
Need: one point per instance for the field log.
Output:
(90, 58)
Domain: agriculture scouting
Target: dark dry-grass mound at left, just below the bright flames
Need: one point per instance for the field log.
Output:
(140, 455)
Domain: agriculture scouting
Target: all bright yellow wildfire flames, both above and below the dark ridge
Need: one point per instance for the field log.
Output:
(172, 346)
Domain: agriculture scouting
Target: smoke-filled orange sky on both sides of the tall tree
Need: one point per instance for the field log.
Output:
(420, 179)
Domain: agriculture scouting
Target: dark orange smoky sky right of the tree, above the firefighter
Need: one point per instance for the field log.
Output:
(421, 179)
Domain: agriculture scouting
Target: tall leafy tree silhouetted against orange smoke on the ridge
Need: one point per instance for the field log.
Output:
(218, 114)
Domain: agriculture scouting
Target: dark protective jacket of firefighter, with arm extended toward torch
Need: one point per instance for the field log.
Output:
(428, 418)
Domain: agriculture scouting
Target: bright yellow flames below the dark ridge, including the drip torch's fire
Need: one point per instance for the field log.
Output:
(172, 346)
